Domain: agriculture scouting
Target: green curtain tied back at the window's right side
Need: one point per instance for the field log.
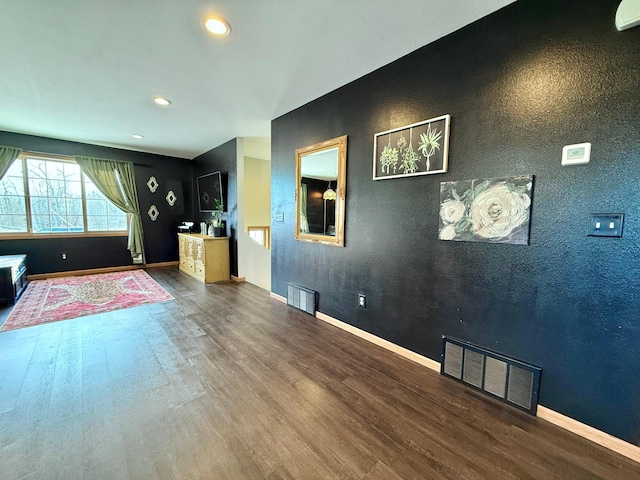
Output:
(116, 182)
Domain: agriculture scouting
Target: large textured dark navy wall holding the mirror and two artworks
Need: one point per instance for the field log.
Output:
(519, 85)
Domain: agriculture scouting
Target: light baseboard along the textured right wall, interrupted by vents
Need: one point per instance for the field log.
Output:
(593, 434)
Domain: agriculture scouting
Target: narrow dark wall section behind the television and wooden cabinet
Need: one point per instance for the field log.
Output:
(223, 159)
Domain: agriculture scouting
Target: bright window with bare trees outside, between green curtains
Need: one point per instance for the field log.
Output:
(41, 195)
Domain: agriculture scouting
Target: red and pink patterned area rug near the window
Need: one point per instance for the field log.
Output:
(56, 299)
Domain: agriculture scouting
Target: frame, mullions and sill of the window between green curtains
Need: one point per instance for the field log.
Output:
(27, 198)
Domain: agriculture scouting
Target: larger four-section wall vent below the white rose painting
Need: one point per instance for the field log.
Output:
(505, 378)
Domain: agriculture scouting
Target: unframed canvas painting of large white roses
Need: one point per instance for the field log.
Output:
(486, 210)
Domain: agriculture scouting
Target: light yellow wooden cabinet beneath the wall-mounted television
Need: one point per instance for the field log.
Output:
(205, 258)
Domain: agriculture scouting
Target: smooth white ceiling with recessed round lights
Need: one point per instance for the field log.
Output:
(87, 70)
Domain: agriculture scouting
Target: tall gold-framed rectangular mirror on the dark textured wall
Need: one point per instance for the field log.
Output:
(321, 172)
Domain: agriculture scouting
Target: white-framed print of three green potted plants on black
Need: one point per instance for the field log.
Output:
(418, 149)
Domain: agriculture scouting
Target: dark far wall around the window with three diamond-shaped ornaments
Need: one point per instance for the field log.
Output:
(161, 244)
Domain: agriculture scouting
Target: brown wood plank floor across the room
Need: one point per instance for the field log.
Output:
(226, 383)
